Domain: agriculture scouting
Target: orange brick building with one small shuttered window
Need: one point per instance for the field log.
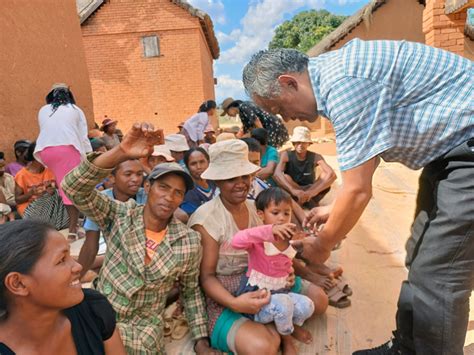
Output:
(148, 59)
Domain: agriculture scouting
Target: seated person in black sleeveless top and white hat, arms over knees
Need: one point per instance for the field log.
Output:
(296, 171)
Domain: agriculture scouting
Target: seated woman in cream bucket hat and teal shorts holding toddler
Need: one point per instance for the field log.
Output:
(222, 266)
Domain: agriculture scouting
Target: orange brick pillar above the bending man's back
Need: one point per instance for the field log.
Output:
(444, 31)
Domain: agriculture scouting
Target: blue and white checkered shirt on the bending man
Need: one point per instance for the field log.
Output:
(406, 102)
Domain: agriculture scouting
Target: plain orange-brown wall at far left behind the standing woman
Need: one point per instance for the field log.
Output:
(40, 44)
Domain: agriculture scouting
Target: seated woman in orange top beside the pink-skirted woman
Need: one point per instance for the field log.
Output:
(36, 194)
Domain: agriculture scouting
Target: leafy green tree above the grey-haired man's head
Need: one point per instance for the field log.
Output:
(305, 29)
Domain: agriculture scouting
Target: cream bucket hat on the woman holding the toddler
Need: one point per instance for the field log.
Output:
(229, 159)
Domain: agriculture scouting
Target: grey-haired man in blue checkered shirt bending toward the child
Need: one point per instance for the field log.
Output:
(402, 102)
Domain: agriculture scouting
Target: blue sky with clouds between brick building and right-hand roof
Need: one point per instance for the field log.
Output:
(246, 26)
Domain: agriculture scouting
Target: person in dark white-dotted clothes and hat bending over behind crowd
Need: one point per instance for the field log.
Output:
(254, 117)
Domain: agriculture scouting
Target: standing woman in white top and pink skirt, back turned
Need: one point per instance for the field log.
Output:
(62, 142)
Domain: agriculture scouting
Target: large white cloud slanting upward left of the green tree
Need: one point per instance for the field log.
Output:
(258, 27)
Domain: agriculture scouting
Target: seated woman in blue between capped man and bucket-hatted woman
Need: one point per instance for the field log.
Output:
(197, 161)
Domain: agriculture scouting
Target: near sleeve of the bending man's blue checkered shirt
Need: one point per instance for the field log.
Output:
(360, 111)
